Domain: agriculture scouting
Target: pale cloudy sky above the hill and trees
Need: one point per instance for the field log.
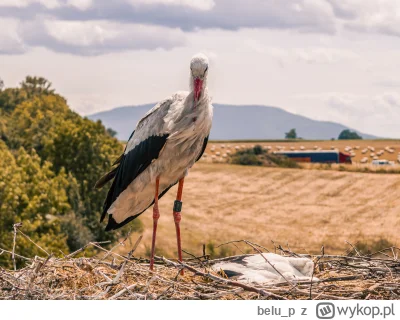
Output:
(335, 60)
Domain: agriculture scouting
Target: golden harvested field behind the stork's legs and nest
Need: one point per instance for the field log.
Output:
(304, 209)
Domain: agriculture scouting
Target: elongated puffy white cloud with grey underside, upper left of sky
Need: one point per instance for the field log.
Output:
(94, 37)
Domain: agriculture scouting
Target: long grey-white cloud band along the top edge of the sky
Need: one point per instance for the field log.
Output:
(315, 16)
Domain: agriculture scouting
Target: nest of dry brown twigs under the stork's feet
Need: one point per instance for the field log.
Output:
(114, 276)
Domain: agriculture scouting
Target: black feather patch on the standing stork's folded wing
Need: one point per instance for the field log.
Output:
(133, 164)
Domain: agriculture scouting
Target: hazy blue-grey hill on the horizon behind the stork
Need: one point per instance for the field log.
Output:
(235, 123)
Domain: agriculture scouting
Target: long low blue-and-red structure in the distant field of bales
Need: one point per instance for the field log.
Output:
(317, 156)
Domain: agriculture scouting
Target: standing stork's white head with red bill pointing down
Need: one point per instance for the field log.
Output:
(199, 70)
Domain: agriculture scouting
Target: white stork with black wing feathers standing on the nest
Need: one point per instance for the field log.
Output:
(166, 143)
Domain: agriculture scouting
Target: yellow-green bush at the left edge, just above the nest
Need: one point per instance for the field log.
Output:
(31, 193)
